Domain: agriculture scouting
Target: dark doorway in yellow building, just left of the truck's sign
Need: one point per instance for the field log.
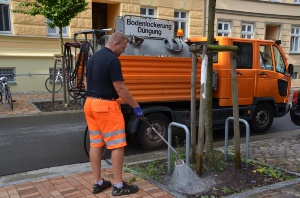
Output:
(99, 15)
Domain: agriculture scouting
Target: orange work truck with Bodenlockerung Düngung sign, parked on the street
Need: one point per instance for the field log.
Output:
(157, 72)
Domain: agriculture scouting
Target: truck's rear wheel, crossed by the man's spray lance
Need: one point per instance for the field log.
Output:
(147, 138)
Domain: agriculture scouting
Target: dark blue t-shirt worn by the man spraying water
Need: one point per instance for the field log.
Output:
(102, 69)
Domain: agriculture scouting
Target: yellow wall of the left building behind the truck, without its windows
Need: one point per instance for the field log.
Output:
(29, 50)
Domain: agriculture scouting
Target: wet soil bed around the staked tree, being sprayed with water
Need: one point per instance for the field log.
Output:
(222, 180)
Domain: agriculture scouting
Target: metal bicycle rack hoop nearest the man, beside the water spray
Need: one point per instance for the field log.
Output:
(187, 152)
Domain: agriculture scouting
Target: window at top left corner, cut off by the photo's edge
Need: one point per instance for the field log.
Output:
(5, 16)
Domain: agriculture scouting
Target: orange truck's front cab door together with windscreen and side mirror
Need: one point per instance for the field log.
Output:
(271, 79)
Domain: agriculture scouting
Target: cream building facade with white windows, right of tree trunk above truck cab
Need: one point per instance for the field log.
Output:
(262, 19)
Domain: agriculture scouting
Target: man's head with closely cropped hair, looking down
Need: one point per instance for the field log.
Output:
(117, 43)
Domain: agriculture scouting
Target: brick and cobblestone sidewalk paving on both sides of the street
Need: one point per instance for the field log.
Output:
(76, 180)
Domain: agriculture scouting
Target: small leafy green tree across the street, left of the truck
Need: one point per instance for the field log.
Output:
(59, 12)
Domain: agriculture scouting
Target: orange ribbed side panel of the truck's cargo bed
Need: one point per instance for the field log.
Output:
(158, 79)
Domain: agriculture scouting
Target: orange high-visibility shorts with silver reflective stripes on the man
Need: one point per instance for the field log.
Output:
(105, 122)
